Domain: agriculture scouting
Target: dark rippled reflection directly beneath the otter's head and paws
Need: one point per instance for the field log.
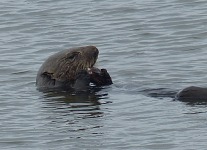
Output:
(83, 104)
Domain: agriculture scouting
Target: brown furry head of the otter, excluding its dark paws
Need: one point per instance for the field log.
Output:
(64, 66)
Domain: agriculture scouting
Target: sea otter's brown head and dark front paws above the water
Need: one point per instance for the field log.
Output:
(72, 69)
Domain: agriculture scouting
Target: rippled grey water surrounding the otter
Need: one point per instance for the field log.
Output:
(145, 45)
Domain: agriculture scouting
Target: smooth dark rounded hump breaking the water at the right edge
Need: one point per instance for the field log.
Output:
(192, 94)
